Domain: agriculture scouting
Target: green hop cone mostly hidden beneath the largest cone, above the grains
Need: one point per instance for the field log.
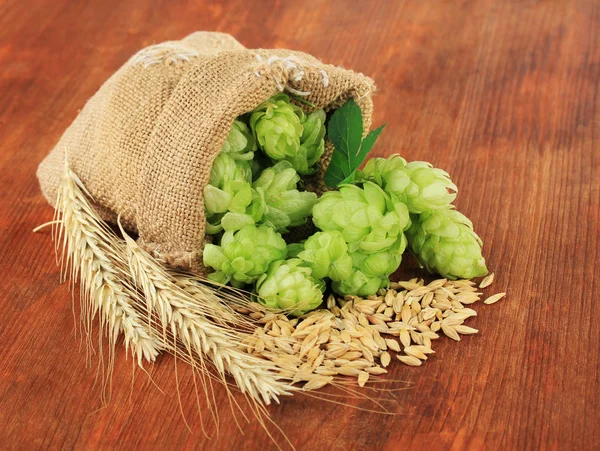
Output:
(370, 272)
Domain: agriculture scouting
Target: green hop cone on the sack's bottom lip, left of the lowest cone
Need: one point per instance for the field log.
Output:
(245, 255)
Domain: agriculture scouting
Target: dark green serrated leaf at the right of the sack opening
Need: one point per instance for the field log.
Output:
(345, 131)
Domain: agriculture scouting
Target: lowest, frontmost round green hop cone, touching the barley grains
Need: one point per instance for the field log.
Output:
(289, 285)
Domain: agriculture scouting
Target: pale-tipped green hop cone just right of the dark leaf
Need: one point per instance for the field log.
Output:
(418, 184)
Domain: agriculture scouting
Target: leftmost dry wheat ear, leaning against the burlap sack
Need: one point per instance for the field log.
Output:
(87, 253)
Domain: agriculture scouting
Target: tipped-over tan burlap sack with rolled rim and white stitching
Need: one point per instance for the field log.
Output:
(144, 144)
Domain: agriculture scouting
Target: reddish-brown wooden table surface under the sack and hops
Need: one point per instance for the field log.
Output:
(502, 94)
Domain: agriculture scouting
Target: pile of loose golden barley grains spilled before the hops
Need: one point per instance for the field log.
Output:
(354, 336)
